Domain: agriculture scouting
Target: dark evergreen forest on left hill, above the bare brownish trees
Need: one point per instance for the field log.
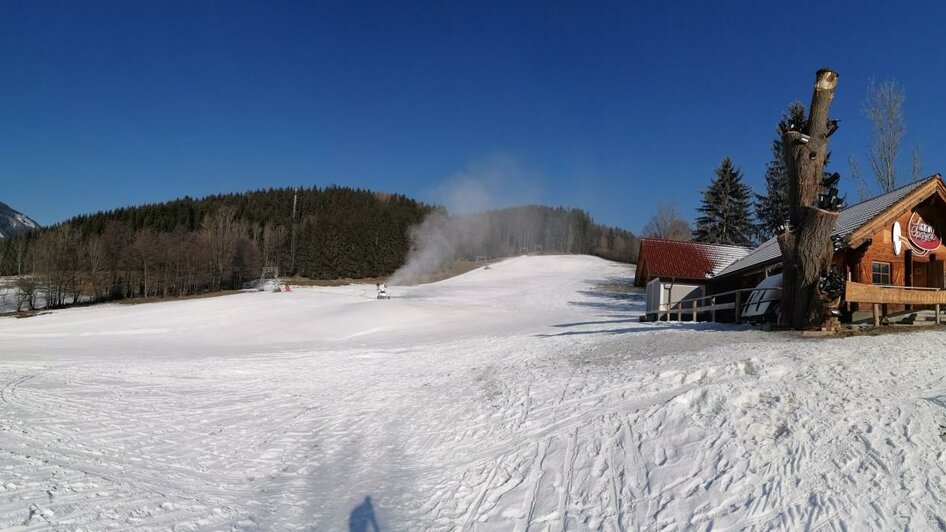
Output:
(336, 232)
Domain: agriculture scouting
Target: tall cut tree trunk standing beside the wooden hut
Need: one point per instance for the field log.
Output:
(806, 247)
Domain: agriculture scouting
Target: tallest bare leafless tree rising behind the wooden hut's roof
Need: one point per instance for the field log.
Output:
(884, 108)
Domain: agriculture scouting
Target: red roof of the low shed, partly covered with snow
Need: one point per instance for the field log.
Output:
(692, 261)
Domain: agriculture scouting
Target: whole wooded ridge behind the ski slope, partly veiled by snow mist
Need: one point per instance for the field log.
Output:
(192, 245)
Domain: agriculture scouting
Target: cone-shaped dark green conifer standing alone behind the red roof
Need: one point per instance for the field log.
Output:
(725, 214)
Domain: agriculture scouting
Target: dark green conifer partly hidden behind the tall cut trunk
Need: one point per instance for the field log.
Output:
(771, 208)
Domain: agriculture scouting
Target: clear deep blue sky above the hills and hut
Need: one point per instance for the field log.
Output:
(610, 107)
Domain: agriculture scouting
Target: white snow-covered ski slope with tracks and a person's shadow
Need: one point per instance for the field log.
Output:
(527, 396)
